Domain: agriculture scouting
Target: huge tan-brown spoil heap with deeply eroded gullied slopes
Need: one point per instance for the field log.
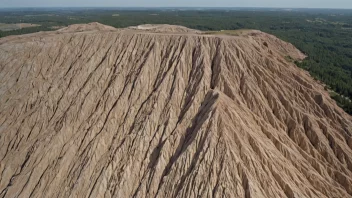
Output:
(104, 112)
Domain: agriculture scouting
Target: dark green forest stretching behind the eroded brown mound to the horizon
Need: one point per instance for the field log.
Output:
(324, 35)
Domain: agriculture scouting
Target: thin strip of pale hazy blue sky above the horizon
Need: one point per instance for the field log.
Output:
(180, 3)
